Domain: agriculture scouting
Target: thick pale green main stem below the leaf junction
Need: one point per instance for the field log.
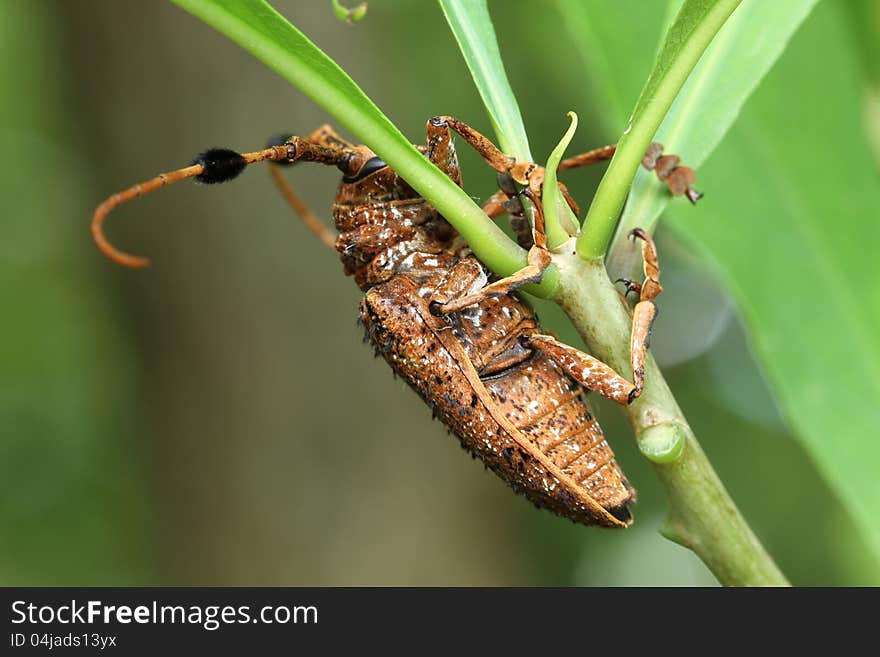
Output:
(702, 516)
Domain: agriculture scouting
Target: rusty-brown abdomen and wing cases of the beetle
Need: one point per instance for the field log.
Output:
(530, 391)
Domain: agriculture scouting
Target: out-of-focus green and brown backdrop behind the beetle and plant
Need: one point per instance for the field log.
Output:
(215, 420)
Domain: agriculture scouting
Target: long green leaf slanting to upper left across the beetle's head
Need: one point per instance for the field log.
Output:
(259, 28)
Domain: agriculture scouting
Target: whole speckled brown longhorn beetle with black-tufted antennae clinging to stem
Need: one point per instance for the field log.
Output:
(474, 351)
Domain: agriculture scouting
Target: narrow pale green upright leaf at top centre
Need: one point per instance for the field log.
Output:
(470, 23)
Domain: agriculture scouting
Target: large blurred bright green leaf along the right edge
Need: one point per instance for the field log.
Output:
(789, 222)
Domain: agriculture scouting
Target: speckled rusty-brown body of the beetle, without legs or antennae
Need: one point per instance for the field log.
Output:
(510, 406)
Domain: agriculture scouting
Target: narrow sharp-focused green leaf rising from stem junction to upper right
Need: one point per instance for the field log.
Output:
(694, 27)
